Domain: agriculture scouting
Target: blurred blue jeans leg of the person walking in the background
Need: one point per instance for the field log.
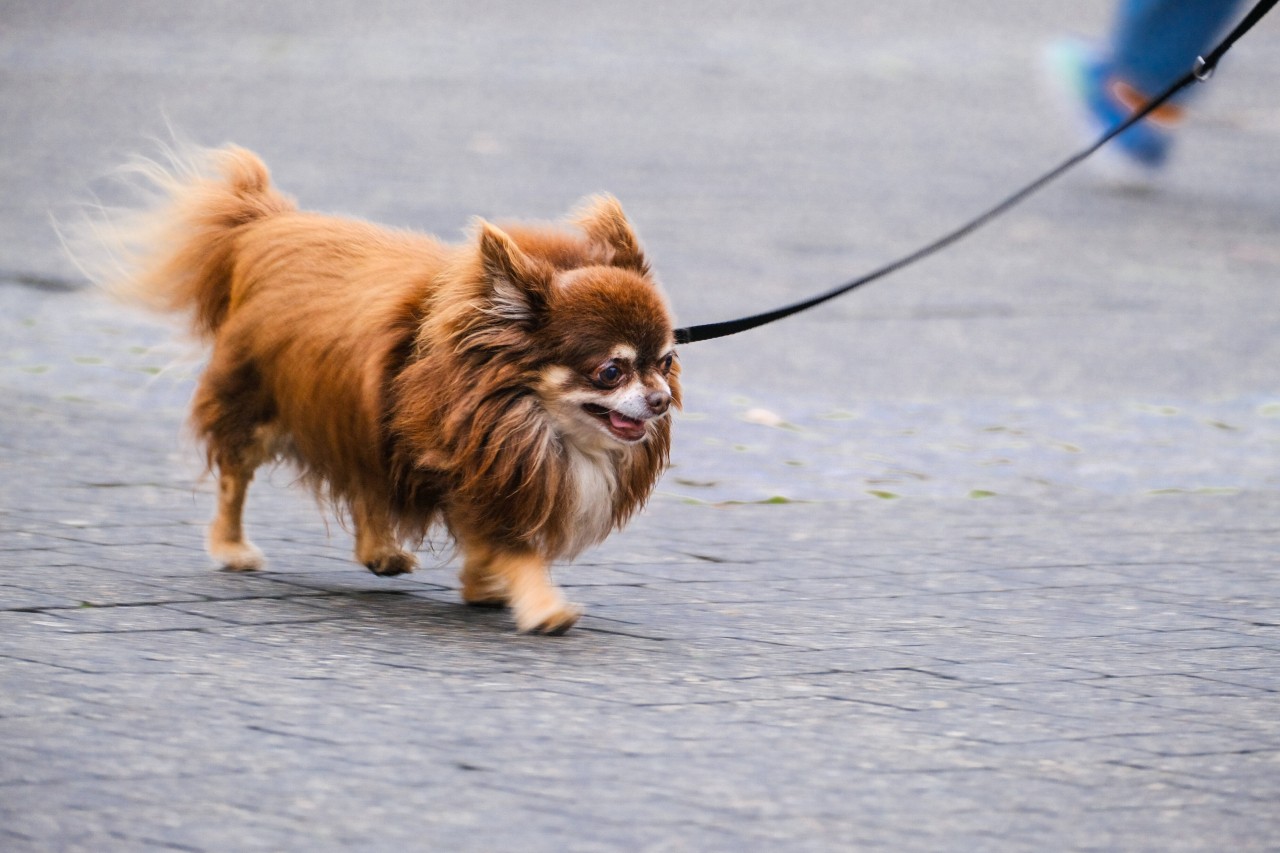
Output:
(1154, 43)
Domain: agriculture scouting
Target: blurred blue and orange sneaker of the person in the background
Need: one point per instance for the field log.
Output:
(1105, 102)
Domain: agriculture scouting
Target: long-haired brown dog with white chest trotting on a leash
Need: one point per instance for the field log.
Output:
(514, 390)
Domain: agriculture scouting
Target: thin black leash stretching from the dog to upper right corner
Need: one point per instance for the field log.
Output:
(1200, 72)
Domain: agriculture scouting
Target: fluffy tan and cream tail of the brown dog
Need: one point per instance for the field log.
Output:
(177, 253)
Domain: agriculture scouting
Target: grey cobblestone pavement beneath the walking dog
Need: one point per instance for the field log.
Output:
(984, 559)
